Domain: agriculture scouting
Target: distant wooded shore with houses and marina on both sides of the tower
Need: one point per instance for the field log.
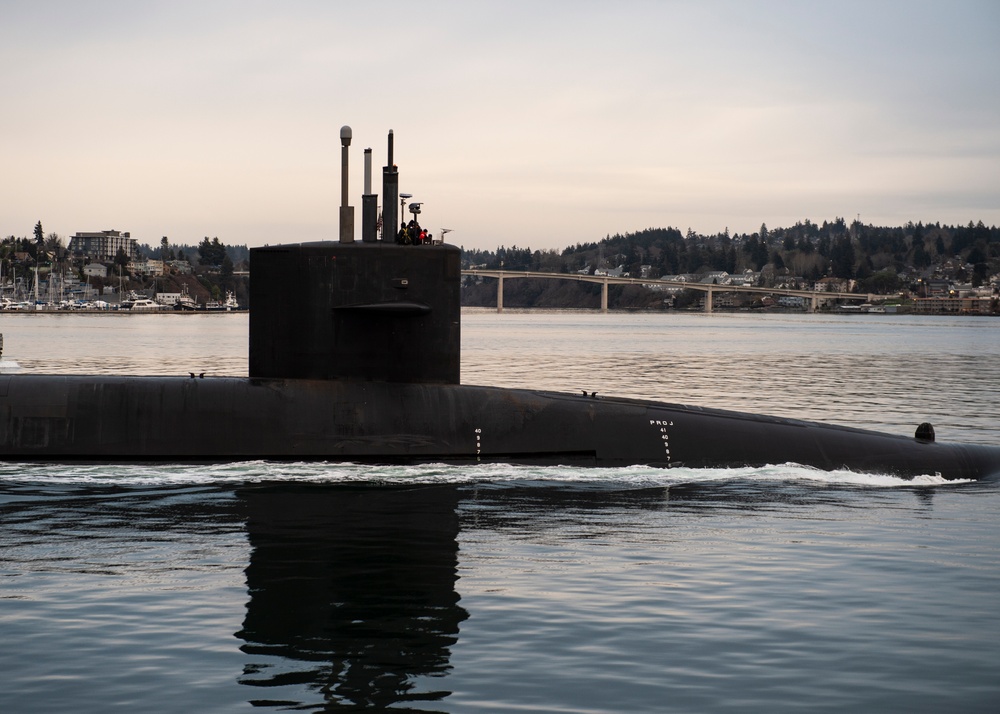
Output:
(920, 268)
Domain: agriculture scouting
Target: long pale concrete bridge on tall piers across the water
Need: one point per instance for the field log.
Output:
(813, 296)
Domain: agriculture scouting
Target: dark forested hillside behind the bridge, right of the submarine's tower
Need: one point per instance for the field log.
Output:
(878, 258)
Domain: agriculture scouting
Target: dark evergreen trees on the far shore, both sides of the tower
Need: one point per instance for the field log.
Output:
(880, 259)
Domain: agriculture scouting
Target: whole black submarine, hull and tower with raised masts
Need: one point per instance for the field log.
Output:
(354, 355)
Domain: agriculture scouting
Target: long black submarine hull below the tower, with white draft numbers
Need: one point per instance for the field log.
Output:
(96, 418)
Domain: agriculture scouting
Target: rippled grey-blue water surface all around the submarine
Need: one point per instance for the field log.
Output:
(337, 587)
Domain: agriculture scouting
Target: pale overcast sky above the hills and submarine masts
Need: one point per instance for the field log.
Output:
(537, 124)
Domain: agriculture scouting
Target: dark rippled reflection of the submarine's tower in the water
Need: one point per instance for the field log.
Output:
(351, 594)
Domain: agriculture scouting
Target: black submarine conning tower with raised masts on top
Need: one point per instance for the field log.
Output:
(370, 310)
